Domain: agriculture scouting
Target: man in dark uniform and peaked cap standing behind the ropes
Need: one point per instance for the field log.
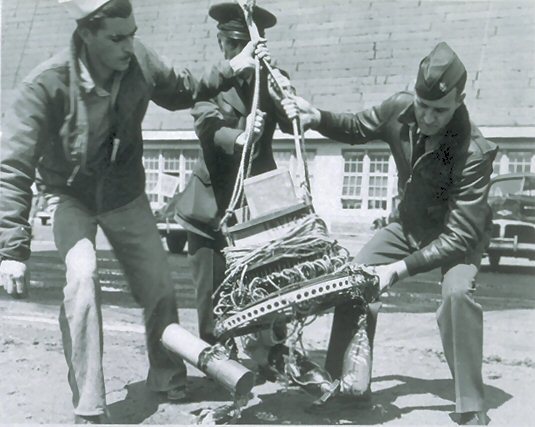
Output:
(220, 126)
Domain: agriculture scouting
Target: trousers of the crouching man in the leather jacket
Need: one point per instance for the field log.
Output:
(459, 317)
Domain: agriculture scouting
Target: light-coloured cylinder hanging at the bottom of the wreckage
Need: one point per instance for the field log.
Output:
(232, 375)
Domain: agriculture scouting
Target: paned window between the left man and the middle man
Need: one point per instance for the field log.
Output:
(175, 162)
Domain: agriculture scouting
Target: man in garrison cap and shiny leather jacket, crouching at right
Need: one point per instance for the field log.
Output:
(443, 218)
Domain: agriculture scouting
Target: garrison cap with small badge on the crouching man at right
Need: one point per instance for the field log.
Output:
(439, 73)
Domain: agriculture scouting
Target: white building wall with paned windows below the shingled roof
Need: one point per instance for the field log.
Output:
(351, 185)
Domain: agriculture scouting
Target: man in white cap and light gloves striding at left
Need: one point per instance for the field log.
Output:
(77, 120)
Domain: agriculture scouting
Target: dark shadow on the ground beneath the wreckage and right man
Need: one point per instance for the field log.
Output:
(385, 405)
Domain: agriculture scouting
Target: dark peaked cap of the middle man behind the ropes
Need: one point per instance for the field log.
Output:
(231, 22)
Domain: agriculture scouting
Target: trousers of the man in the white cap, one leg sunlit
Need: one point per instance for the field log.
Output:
(132, 233)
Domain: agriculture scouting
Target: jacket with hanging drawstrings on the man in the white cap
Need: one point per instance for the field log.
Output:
(46, 129)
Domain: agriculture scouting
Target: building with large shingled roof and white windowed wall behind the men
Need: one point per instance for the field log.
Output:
(343, 55)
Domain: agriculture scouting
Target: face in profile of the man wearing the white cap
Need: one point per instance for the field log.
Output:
(111, 47)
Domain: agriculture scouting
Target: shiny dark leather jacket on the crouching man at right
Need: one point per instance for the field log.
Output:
(443, 196)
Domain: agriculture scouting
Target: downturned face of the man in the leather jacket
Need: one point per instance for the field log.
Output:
(432, 117)
